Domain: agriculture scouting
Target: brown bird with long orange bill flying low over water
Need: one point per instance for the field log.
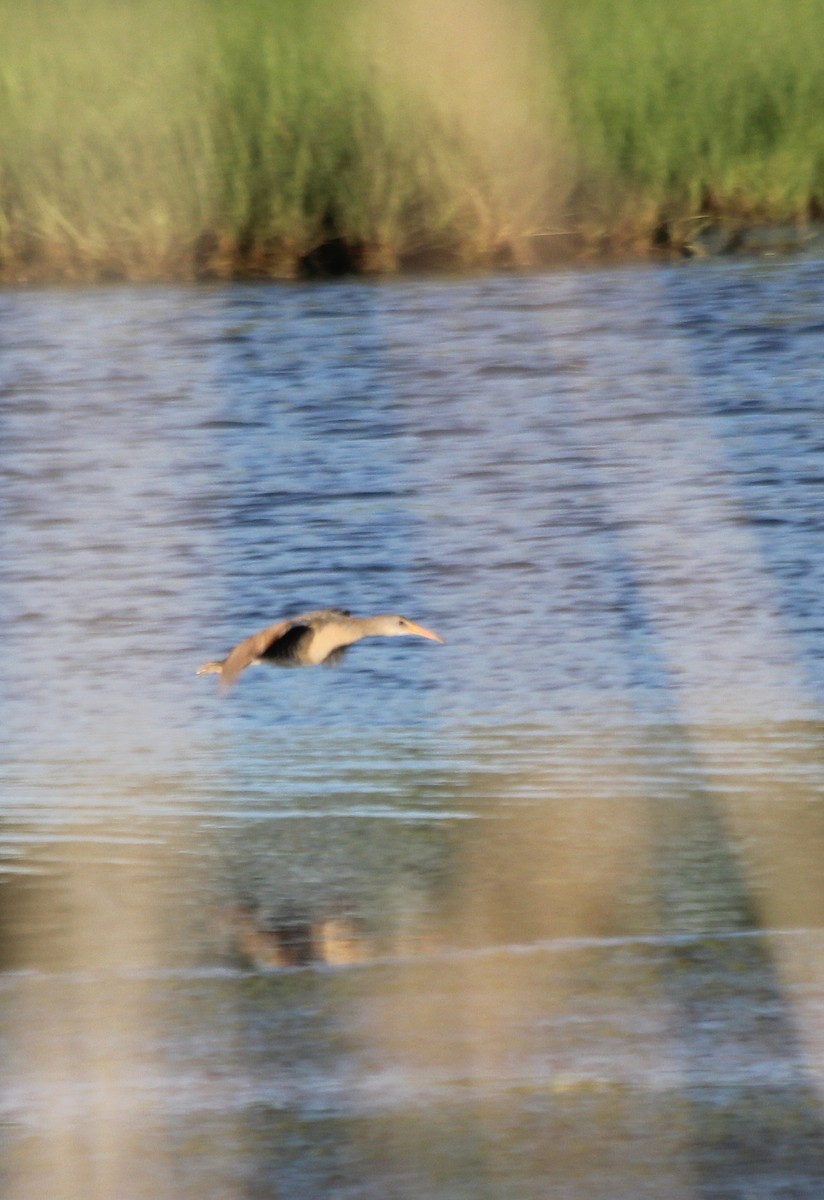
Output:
(311, 639)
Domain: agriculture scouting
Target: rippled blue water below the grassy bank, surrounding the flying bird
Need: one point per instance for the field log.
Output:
(537, 913)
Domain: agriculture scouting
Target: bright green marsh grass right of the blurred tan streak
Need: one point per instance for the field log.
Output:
(683, 105)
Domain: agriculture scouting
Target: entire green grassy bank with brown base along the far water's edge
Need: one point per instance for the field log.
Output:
(176, 140)
